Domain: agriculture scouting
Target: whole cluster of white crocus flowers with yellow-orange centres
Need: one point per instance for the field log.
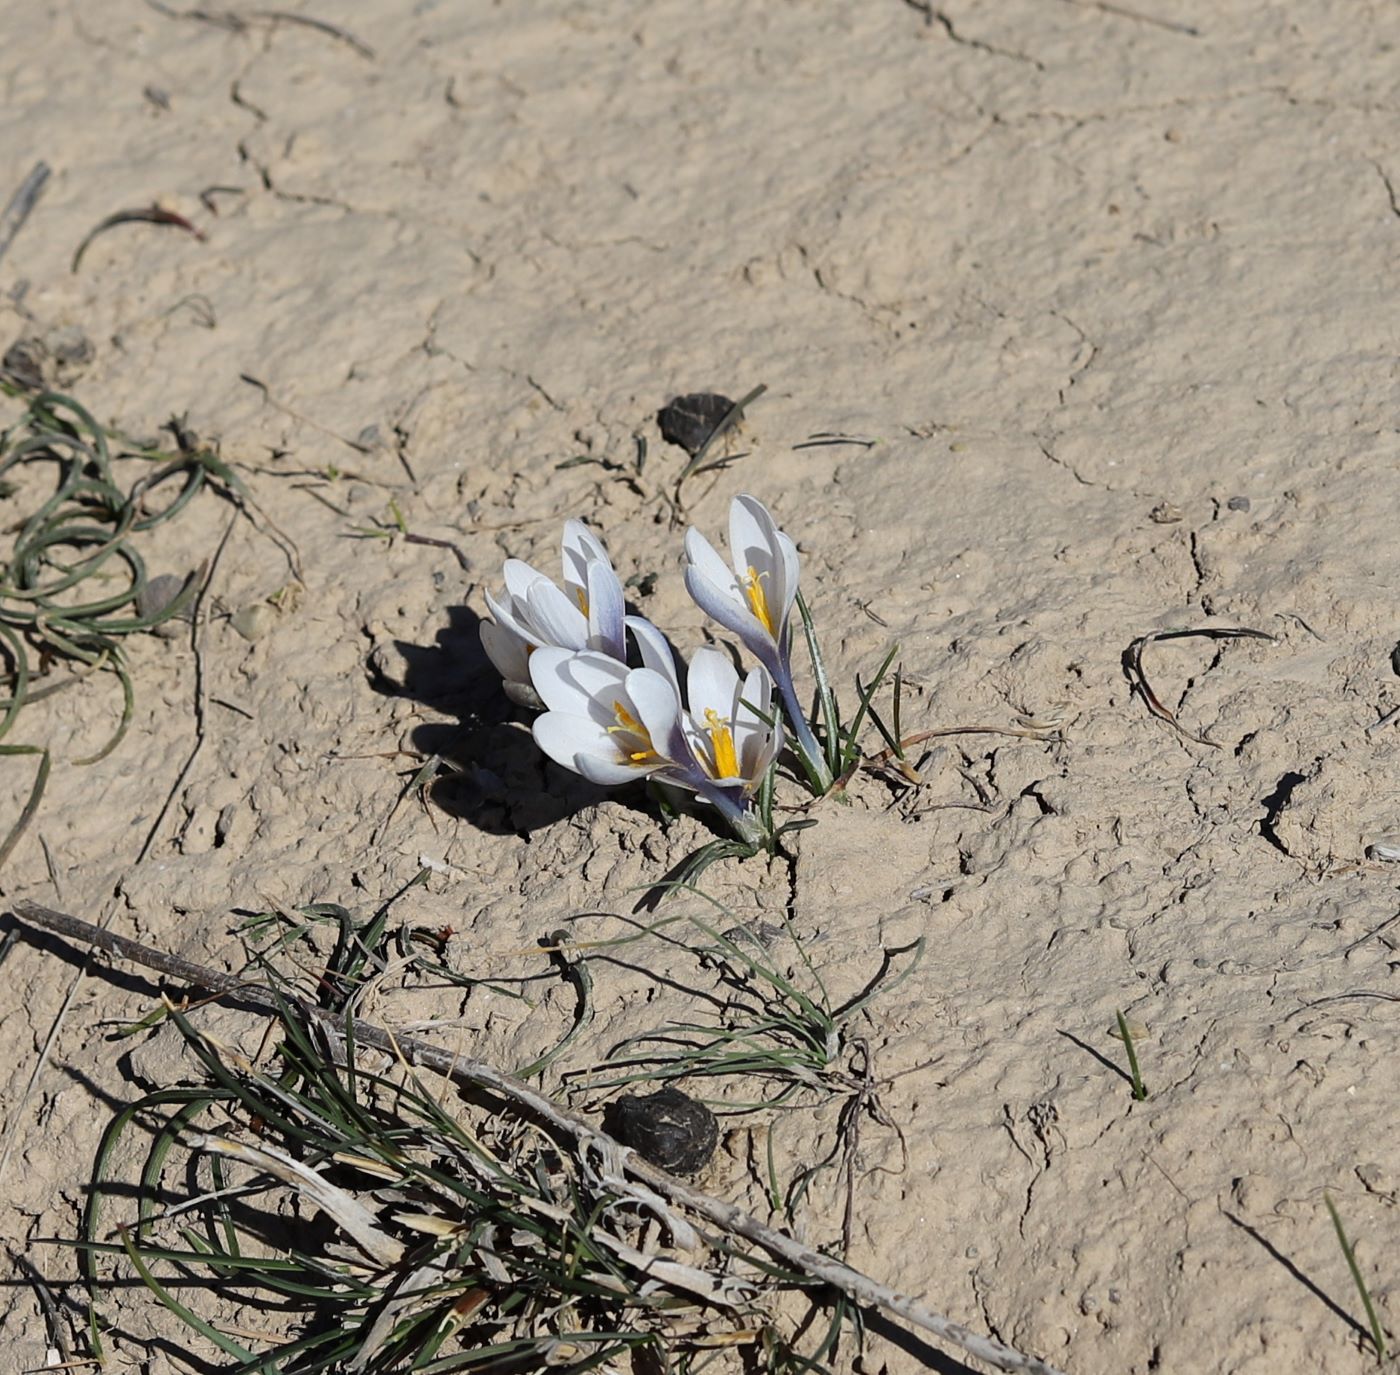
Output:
(716, 734)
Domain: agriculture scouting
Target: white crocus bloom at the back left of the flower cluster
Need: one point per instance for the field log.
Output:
(535, 614)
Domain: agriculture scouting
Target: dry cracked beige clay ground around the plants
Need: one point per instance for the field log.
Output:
(1108, 291)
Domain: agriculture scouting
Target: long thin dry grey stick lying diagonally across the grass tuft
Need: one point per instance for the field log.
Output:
(479, 1075)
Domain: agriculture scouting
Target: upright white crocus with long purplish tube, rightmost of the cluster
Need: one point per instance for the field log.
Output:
(754, 600)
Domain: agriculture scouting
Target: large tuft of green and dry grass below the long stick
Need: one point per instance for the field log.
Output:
(444, 1238)
